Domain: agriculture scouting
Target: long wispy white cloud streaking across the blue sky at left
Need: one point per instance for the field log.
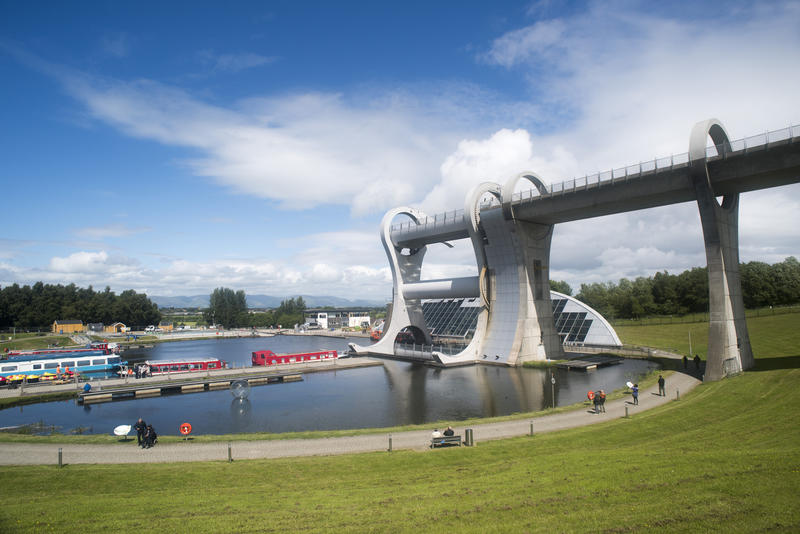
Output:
(301, 150)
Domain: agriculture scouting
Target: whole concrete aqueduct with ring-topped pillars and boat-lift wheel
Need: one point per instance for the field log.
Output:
(511, 234)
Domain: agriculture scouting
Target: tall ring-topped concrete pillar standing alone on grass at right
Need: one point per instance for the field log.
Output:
(729, 350)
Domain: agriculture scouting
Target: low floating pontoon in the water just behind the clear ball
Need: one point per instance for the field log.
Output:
(139, 391)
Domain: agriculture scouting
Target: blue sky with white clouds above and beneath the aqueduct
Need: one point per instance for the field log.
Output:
(176, 147)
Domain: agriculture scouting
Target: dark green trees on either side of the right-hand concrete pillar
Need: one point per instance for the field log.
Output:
(763, 285)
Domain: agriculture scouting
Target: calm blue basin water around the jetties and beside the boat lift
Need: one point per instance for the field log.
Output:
(396, 393)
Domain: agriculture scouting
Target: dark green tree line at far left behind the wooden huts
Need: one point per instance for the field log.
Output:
(39, 305)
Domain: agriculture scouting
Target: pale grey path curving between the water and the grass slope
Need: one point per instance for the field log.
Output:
(34, 453)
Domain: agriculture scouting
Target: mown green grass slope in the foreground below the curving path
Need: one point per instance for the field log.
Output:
(723, 458)
